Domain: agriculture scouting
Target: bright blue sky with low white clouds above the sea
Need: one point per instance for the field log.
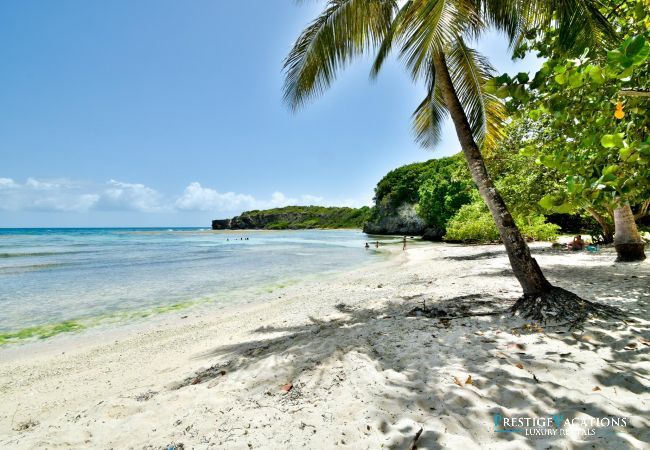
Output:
(168, 113)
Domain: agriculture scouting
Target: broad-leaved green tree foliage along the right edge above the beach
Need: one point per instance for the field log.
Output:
(591, 117)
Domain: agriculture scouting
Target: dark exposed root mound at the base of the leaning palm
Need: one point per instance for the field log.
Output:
(558, 304)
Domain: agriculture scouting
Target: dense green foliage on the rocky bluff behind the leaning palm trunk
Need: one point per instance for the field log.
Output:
(447, 199)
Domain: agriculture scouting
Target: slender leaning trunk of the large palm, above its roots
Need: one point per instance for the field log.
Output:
(525, 267)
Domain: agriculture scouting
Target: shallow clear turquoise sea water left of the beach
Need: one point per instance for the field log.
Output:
(54, 280)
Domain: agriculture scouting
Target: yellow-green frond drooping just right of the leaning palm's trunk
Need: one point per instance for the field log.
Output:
(469, 71)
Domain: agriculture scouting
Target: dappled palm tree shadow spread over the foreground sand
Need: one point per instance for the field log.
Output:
(418, 369)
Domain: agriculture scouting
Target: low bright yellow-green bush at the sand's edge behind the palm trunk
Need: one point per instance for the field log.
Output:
(473, 223)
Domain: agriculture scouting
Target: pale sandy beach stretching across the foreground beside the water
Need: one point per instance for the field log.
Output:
(340, 362)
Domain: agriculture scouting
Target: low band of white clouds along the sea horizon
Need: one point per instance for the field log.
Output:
(64, 195)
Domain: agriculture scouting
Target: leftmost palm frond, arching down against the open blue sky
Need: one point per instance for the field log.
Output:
(345, 29)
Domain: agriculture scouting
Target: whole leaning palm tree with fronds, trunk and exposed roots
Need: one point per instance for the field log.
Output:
(431, 37)
